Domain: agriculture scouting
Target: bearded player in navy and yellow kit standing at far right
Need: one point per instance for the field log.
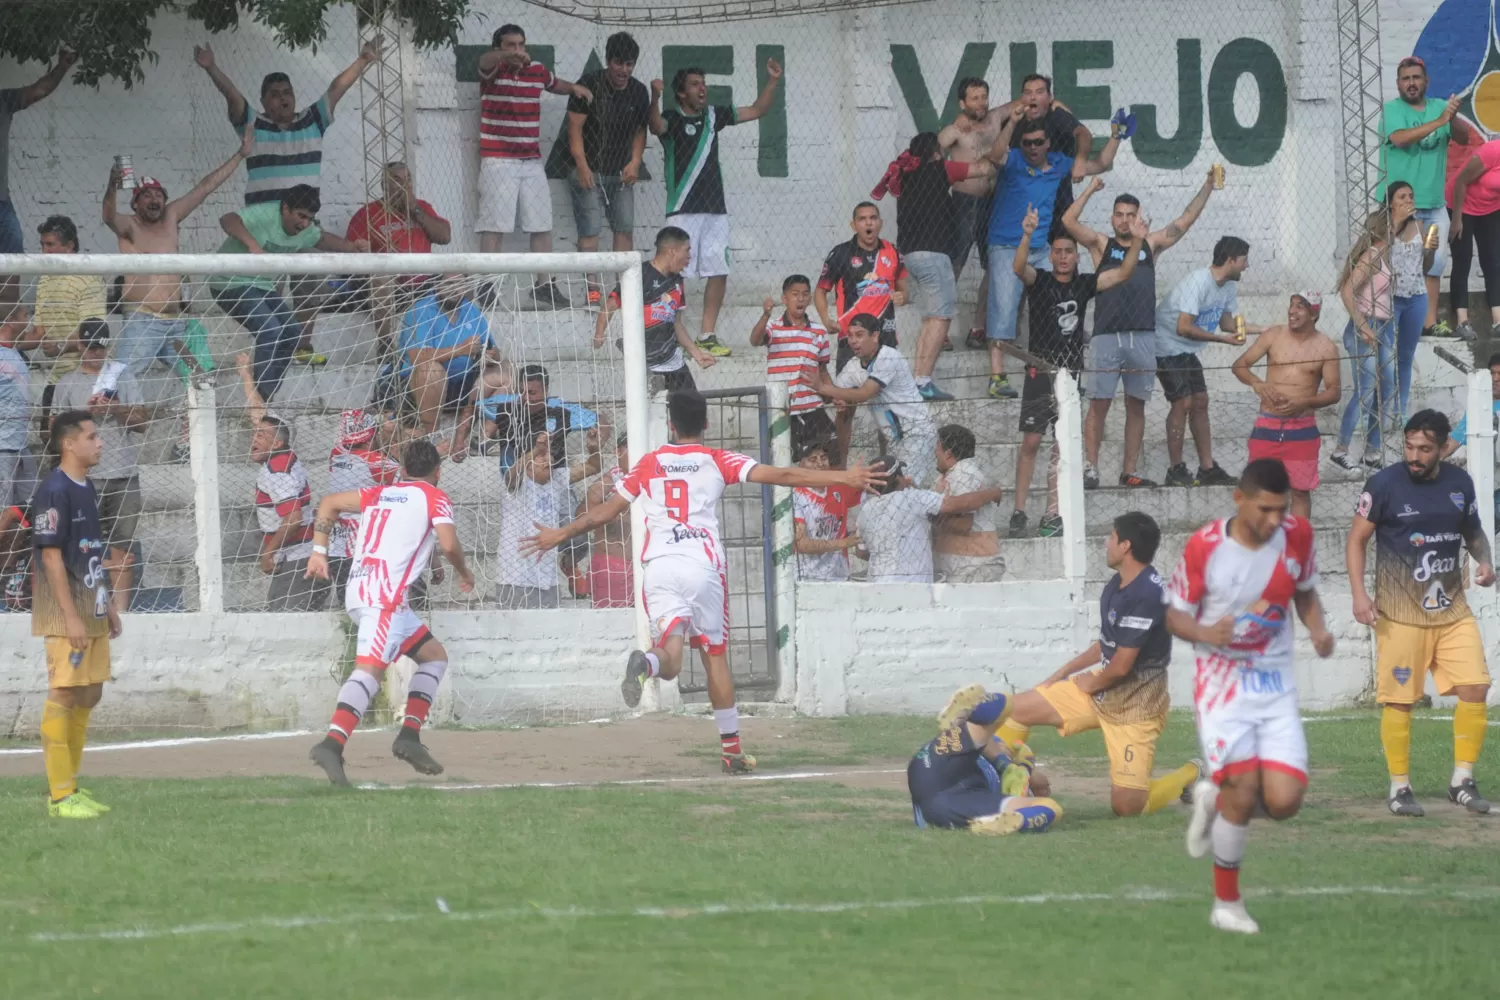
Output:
(1423, 513)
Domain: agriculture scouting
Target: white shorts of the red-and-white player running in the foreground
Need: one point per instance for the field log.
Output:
(1258, 726)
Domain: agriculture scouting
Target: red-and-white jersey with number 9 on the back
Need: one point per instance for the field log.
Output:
(679, 488)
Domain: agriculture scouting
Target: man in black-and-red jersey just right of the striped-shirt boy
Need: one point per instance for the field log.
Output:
(866, 275)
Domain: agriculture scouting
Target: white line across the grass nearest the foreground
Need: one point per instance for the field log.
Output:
(443, 912)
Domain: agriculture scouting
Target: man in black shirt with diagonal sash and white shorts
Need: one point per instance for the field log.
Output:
(695, 185)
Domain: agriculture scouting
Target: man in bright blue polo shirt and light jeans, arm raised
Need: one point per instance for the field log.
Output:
(1030, 179)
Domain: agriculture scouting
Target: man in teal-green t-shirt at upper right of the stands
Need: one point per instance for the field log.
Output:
(1415, 136)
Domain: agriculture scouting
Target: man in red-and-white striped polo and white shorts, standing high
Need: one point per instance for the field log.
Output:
(512, 182)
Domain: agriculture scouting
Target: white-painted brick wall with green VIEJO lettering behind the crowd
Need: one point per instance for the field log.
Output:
(1256, 91)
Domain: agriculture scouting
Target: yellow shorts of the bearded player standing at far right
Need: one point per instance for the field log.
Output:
(1406, 654)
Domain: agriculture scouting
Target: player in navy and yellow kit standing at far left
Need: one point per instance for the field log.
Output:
(71, 609)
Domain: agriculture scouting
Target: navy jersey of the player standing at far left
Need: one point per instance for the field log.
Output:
(65, 516)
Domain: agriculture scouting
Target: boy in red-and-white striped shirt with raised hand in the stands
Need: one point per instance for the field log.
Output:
(799, 352)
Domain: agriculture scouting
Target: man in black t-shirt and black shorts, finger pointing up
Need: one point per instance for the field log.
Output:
(1058, 302)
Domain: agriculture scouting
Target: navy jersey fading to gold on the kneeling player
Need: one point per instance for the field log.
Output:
(1135, 617)
